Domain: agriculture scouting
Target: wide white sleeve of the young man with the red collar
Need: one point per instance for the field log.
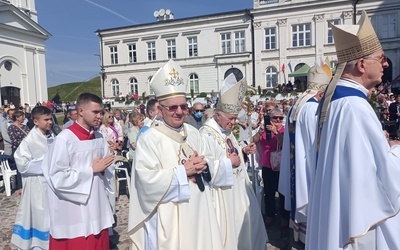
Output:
(72, 184)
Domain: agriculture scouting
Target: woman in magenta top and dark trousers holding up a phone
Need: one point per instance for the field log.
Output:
(270, 139)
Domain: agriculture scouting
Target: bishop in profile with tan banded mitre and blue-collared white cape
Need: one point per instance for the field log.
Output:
(354, 201)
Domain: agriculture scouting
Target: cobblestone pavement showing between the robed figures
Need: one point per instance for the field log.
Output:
(9, 206)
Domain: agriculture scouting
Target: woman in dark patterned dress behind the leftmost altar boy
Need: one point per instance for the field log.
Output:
(17, 132)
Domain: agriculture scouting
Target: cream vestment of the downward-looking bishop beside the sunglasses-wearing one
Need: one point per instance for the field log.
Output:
(239, 214)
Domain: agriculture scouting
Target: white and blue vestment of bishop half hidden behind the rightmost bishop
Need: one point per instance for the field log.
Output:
(303, 141)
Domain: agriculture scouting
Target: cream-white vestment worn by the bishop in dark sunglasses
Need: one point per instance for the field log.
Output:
(166, 210)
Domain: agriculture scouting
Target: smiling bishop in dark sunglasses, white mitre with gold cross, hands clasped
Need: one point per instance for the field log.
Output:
(171, 205)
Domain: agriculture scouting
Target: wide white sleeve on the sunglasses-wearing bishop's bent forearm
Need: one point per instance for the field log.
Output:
(179, 189)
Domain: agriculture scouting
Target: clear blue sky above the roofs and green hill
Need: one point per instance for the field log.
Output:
(71, 51)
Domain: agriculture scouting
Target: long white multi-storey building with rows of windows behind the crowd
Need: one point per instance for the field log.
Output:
(287, 35)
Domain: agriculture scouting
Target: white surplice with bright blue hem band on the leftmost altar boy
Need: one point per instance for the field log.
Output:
(32, 222)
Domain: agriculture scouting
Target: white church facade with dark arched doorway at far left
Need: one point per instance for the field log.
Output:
(22, 54)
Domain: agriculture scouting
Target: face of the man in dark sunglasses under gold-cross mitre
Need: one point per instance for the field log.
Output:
(174, 110)
